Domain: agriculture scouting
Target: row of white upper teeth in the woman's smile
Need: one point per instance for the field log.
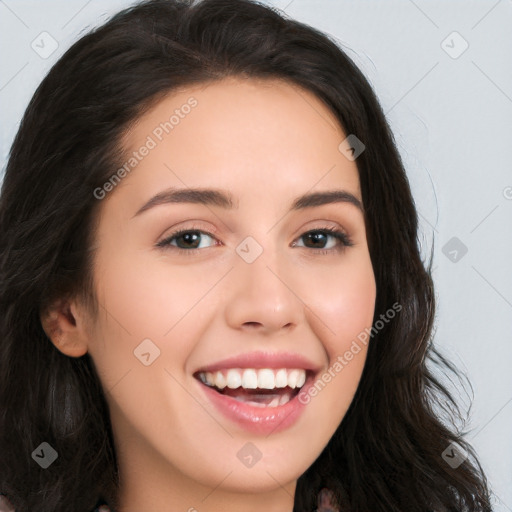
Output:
(251, 378)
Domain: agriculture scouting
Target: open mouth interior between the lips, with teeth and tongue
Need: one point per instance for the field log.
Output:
(257, 387)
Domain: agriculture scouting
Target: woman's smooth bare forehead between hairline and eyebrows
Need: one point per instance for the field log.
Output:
(241, 134)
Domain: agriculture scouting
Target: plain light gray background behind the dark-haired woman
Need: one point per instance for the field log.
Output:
(451, 113)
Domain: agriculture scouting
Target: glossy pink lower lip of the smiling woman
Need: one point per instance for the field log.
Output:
(259, 420)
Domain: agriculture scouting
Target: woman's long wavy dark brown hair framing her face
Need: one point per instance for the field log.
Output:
(386, 454)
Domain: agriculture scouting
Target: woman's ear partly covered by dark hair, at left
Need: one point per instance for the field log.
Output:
(64, 324)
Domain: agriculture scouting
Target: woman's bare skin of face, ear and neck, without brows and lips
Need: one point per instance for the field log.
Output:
(265, 142)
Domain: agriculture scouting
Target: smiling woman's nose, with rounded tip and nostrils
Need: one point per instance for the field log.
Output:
(261, 297)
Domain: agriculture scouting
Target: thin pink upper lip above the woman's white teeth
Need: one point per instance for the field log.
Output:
(260, 360)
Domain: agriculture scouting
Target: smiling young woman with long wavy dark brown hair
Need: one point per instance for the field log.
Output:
(280, 363)
